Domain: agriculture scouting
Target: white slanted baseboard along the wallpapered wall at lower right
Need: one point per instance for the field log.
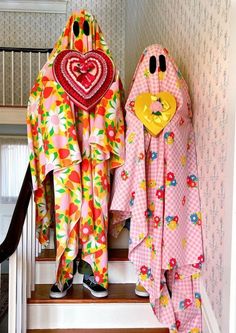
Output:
(208, 313)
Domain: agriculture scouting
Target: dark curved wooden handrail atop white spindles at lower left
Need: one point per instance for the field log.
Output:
(10, 243)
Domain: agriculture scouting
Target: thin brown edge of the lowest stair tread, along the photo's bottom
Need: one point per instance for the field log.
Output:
(108, 330)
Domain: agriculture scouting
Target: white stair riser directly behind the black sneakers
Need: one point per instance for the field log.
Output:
(119, 272)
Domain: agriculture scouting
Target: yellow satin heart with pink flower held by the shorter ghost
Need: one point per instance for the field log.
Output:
(155, 111)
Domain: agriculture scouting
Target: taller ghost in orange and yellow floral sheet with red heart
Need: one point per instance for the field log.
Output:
(76, 134)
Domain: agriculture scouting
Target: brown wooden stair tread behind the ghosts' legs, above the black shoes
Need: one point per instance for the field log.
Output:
(113, 255)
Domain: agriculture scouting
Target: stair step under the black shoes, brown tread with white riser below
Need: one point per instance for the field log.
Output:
(122, 309)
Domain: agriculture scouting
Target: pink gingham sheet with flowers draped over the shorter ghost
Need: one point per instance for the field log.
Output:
(157, 188)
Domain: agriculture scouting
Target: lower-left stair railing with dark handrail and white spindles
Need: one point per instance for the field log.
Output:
(19, 247)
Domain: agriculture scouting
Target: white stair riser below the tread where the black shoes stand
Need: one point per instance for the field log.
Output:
(110, 315)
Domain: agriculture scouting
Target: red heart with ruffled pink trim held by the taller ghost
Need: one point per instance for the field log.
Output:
(85, 77)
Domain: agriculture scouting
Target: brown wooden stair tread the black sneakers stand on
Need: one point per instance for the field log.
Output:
(118, 293)
